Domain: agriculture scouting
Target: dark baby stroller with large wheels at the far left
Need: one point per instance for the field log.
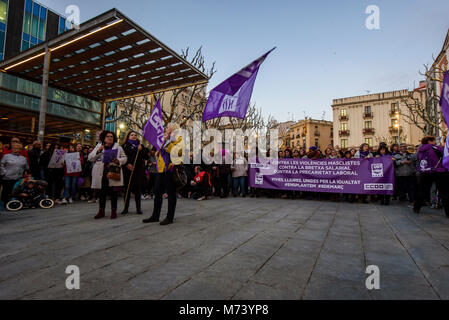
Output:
(36, 197)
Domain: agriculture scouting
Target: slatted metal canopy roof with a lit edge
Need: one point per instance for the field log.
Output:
(108, 58)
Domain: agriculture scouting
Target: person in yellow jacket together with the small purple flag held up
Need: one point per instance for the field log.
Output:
(166, 144)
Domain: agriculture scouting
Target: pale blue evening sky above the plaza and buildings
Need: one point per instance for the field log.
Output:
(324, 50)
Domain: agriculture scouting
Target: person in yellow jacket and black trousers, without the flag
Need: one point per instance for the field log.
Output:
(167, 157)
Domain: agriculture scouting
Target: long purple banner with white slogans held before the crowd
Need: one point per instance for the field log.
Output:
(357, 176)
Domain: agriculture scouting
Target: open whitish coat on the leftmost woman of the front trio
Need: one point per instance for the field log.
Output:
(97, 170)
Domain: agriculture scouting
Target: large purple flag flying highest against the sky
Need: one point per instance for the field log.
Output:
(231, 98)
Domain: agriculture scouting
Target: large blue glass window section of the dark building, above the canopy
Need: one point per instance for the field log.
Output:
(34, 24)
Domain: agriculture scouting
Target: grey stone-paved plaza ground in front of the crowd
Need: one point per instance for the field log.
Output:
(227, 249)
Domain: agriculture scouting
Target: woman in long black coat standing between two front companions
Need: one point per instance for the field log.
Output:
(134, 170)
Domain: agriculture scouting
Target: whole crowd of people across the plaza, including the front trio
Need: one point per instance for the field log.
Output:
(420, 177)
